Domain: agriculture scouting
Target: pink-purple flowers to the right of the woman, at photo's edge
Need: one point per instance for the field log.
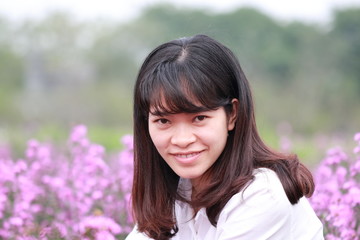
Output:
(337, 195)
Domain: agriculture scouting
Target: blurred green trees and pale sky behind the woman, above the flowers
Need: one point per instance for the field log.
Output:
(64, 63)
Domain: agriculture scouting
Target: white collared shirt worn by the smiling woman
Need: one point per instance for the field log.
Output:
(261, 212)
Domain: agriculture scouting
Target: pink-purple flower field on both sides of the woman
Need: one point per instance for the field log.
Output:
(81, 192)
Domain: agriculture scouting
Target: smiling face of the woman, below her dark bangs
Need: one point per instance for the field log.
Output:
(190, 143)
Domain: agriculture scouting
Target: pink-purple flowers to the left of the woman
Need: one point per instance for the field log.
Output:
(76, 193)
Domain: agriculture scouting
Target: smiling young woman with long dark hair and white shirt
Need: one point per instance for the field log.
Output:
(201, 168)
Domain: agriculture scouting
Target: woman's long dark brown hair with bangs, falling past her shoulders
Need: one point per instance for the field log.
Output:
(208, 72)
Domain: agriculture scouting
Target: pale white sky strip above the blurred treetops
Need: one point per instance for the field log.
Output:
(316, 11)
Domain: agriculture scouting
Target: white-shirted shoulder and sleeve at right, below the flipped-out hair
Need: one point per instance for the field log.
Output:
(264, 212)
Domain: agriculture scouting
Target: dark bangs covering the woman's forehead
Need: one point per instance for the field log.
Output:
(172, 89)
